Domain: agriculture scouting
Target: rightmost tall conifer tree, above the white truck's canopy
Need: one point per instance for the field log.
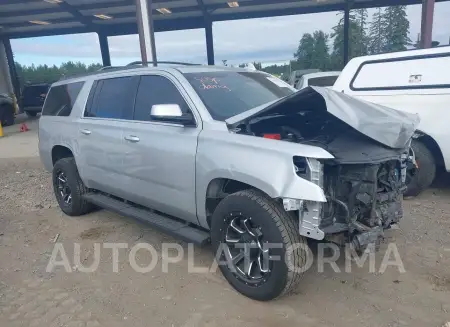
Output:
(396, 24)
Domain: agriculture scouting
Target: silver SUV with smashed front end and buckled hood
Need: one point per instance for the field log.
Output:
(227, 156)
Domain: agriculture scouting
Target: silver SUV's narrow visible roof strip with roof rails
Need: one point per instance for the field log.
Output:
(182, 68)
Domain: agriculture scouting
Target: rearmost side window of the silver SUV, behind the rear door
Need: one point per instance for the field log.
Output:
(61, 99)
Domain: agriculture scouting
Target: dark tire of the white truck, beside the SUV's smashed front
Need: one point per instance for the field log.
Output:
(422, 177)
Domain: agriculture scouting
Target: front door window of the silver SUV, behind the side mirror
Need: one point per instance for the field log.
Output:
(156, 90)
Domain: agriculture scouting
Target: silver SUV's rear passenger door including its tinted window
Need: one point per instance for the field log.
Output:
(109, 106)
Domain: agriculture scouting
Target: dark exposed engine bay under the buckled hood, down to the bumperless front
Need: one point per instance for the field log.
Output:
(365, 182)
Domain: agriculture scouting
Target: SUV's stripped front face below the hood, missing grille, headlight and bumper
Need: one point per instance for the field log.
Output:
(362, 199)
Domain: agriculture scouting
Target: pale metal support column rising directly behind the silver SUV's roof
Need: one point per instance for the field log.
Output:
(146, 31)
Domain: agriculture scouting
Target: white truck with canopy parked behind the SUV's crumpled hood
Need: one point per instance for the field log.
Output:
(416, 81)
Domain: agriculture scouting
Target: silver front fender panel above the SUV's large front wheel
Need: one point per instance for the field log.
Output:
(261, 163)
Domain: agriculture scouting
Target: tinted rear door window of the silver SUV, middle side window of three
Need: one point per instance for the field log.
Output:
(112, 98)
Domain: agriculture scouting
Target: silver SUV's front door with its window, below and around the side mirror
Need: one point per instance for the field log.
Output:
(159, 163)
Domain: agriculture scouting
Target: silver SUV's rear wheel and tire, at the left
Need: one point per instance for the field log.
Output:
(69, 188)
